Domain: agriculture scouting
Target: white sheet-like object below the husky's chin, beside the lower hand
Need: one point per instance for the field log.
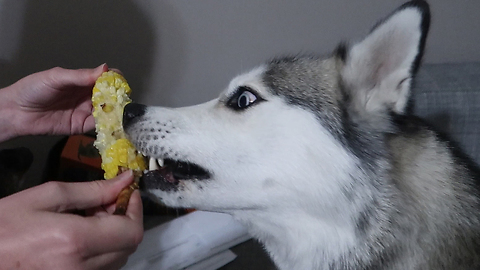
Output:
(187, 240)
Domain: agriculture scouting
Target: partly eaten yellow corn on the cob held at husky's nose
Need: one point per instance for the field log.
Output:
(110, 95)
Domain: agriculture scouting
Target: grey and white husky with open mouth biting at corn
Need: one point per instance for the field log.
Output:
(320, 159)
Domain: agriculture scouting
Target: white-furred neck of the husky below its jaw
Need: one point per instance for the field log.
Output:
(342, 237)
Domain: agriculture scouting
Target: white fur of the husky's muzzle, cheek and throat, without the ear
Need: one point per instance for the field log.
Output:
(264, 161)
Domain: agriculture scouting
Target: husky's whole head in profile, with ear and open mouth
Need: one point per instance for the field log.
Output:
(283, 126)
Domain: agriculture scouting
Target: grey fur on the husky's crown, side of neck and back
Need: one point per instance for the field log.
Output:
(424, 212)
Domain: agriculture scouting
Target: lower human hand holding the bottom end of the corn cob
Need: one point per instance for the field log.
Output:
(38, 231)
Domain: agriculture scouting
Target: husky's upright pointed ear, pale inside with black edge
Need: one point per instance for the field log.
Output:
(377, 71)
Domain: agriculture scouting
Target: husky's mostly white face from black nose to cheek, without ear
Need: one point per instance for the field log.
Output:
(250, 148)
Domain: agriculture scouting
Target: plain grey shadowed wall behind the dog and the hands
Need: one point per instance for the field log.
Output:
(182, 52)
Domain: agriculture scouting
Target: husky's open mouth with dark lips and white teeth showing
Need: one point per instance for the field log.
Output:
(166, 174)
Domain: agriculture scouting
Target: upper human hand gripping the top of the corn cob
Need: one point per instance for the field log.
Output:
(55, 101)
